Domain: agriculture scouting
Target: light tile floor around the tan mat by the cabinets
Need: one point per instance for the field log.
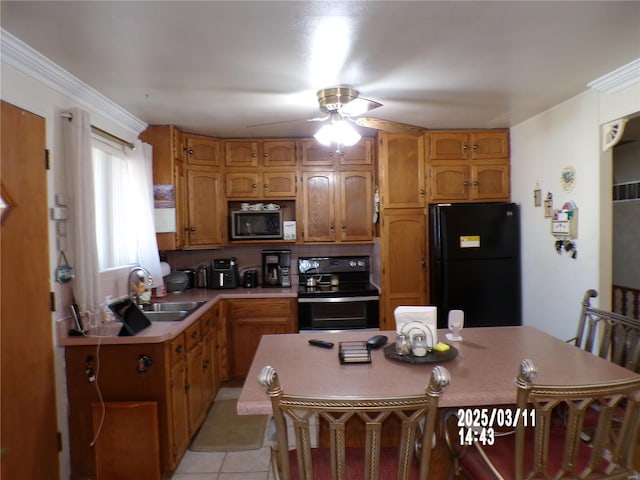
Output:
(248, 465)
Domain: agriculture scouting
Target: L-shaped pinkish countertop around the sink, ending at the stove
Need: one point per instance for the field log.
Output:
(158, 332)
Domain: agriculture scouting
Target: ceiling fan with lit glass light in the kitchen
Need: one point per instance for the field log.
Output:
(344, 104)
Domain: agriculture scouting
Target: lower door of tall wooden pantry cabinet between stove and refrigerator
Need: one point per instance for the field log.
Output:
(404, 256)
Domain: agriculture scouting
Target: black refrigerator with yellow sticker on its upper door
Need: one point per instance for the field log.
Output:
(474, 252)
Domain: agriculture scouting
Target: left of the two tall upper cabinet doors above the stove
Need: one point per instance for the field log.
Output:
(319, 207)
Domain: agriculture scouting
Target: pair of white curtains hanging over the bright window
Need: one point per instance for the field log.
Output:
(97, 219)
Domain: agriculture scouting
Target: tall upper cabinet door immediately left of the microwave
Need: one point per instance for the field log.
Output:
(204, 208)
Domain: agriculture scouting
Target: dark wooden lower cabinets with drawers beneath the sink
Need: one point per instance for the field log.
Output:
(180, 375)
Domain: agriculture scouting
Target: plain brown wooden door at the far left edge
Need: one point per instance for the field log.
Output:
(28, 416)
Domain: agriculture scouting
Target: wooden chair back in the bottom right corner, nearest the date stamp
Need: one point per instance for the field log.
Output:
(558, 444)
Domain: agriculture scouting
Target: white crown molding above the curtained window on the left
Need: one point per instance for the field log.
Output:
(32, 63)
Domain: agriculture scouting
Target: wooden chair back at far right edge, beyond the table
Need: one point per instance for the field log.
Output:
(609, 335)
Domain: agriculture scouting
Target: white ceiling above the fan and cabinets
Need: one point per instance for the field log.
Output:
(214, 67)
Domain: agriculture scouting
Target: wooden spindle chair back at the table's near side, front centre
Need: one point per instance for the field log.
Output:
(417, 415)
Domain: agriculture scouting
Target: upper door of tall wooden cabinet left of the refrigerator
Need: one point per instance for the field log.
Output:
(402, 171)
